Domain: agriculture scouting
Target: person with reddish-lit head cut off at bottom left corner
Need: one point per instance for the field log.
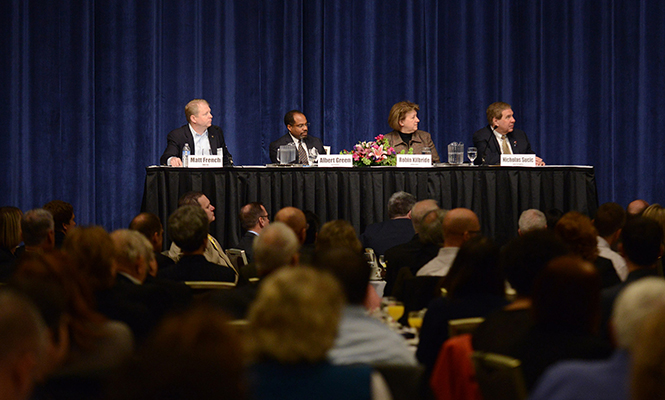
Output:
(23, 337)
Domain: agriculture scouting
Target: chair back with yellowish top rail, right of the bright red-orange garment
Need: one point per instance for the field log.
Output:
(499, 377)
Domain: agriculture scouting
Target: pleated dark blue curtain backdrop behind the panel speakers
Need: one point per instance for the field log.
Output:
(91, 88)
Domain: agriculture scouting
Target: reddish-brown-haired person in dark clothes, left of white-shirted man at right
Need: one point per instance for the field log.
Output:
(578, 232)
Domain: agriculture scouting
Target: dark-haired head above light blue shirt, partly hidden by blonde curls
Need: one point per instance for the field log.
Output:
(350, 268)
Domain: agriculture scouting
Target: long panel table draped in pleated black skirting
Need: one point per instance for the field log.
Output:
(360, 195)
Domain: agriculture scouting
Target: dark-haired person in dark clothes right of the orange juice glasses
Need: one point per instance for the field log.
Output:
(475, 286)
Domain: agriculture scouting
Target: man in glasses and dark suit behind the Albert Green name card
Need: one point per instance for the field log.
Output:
(298, 127)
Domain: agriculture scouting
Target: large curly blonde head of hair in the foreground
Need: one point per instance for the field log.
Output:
(295, 316)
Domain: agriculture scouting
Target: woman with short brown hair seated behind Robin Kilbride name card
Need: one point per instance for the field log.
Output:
(403, 118)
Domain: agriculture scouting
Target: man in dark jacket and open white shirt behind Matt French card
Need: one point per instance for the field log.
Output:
(199, 128)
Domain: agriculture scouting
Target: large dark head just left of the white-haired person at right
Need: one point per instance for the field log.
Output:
(566, 296)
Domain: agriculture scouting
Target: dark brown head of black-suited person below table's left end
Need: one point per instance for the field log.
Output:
(188, 227)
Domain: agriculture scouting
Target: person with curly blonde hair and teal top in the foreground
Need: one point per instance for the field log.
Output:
(293, 323)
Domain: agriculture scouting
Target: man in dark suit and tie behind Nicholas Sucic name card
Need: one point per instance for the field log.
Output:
(500, 136)
